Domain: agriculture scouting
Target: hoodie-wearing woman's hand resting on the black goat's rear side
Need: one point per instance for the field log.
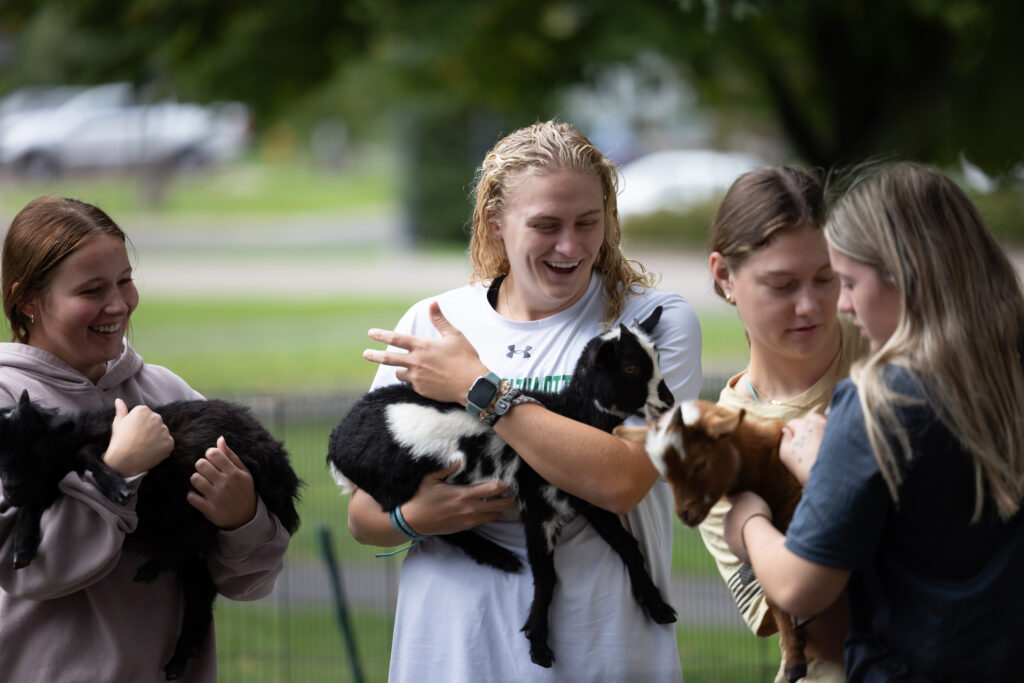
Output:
(224, 488)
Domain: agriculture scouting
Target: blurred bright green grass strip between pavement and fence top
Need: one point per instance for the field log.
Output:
(300, 347)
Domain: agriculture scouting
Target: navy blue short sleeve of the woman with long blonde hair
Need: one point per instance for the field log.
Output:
(841, 518)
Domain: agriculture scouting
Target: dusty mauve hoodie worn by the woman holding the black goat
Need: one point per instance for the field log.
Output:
(76, 614)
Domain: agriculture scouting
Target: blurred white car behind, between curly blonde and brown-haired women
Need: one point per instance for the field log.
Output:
(674, 180)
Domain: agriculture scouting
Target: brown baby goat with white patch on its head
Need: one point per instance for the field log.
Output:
(706, 452)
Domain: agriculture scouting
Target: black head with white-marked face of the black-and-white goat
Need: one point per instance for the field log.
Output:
(621, 370)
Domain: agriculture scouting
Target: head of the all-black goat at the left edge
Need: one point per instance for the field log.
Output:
(23, 461)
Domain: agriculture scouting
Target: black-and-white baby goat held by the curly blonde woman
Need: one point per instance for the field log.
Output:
(394, 438)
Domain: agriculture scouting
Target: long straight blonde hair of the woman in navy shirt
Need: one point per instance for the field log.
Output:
(962, 320)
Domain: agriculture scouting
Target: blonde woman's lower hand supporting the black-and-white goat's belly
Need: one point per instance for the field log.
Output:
(440, 507)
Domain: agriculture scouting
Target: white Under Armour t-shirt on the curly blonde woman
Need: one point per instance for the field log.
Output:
(458, 621)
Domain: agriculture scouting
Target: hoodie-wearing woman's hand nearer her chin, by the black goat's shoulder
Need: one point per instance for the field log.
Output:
(140, 440)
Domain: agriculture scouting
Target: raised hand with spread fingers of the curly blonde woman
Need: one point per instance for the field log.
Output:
(443, 369)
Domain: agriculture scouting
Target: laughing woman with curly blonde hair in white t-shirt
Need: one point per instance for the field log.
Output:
(548, 275)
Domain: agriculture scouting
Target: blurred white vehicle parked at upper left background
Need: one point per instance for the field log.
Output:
(45, 133)
